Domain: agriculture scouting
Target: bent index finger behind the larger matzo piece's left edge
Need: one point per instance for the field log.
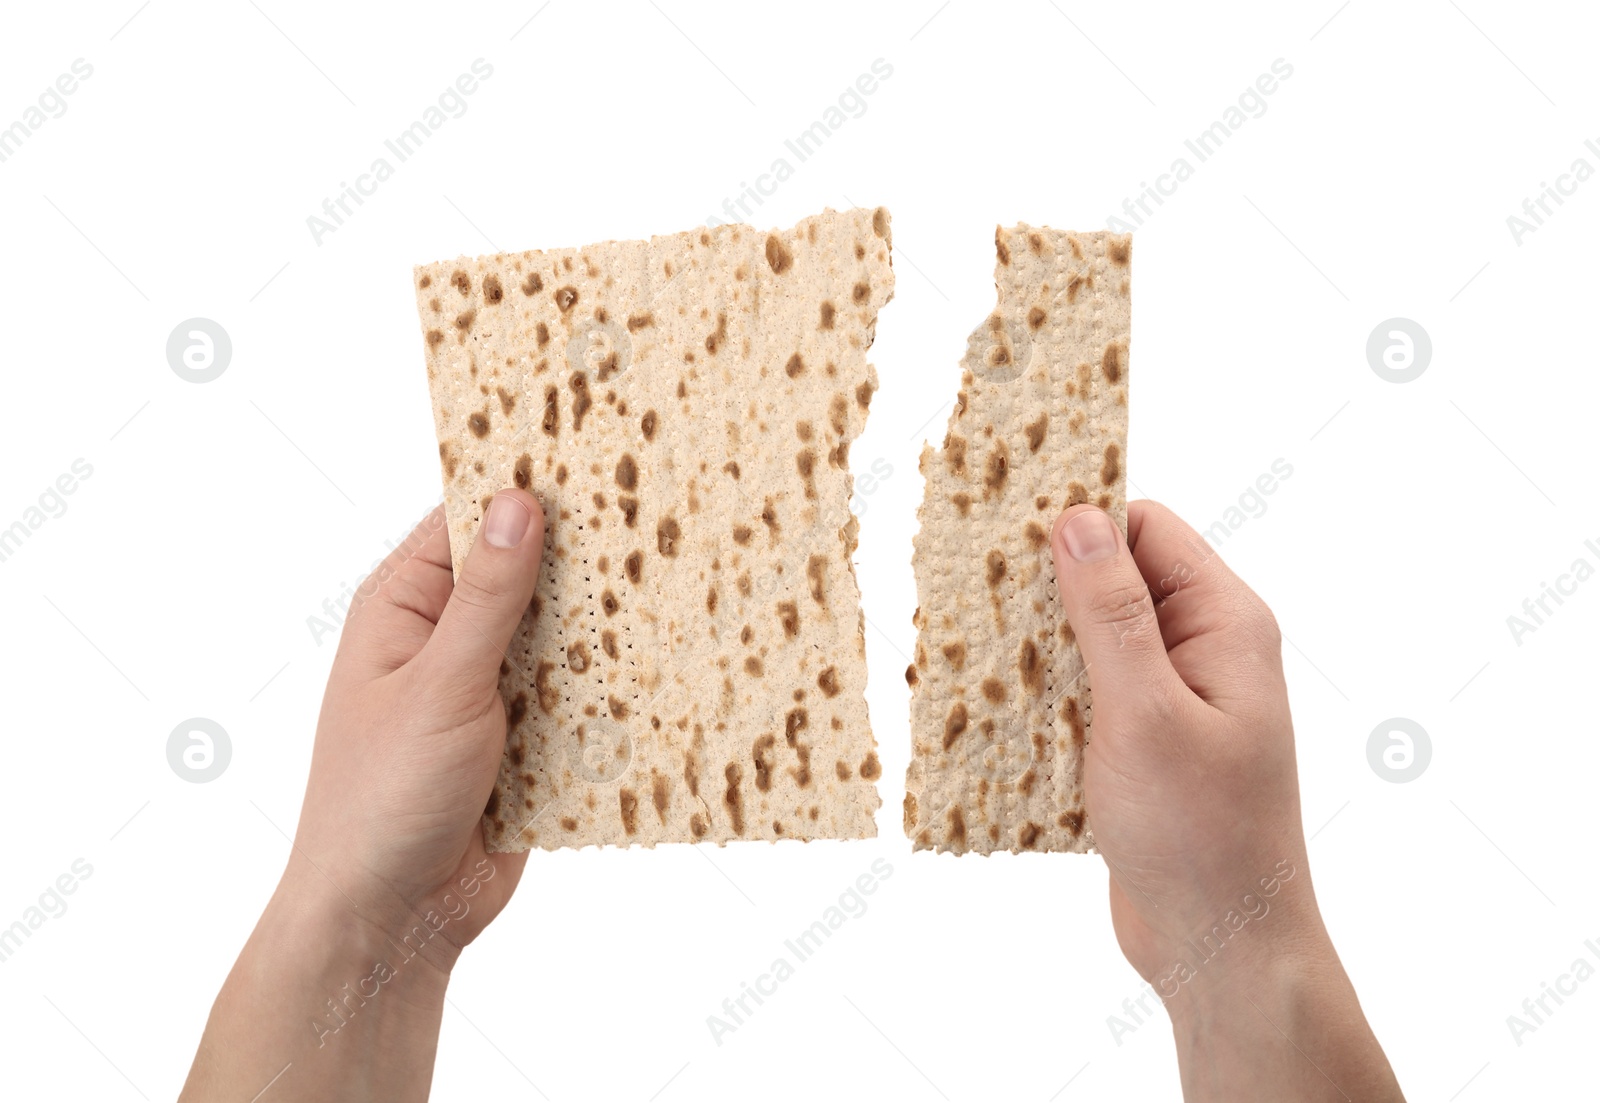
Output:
(393, 611)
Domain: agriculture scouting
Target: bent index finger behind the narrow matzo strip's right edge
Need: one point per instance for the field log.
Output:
(1222, 638)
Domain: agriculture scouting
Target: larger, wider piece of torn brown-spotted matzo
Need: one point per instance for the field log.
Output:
(692, 667)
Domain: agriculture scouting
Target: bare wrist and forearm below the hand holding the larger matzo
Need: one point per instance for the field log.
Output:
(324, 1006)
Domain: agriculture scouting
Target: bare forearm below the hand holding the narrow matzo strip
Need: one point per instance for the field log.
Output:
(1282, 1027)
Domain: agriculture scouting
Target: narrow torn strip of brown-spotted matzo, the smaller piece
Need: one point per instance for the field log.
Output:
(1001, 705)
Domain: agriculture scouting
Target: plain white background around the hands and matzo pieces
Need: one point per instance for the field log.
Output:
(220, 518)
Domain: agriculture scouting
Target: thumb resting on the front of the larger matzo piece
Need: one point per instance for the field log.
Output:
(492, 595)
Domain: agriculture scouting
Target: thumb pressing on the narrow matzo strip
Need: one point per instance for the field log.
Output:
(1110, 608)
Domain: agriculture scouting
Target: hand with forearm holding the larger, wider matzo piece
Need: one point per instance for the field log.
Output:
(340, 990)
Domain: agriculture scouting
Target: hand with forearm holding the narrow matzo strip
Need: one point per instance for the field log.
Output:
(1193, 796)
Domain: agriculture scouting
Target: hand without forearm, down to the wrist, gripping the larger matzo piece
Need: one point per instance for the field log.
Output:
(414, 729)
